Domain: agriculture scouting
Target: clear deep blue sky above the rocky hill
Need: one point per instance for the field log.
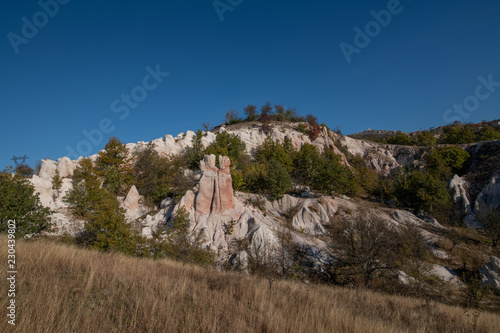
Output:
(73, 72)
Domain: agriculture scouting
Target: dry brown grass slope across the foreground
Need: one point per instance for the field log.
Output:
(66, 289)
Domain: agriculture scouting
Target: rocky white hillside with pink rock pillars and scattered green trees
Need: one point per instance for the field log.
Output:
(293, 201)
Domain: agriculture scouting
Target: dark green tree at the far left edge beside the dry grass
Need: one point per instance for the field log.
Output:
(20, 202)
